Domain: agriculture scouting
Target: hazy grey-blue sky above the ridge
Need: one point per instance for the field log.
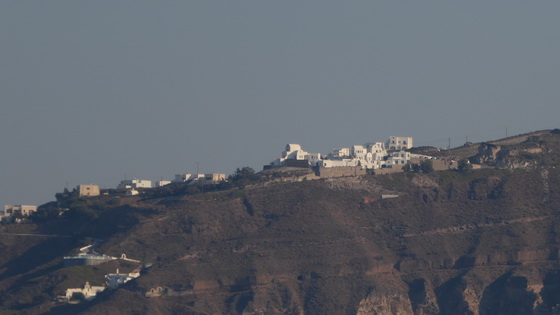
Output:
(91, 91)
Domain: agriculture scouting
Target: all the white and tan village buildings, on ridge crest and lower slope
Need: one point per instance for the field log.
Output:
(382, 157)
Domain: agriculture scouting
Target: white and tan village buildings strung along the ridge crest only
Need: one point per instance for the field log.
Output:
(379, 157)
